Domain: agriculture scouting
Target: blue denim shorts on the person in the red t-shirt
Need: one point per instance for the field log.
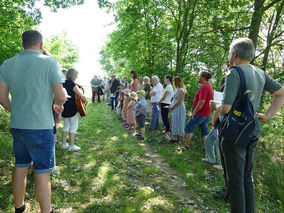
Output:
(199, 120)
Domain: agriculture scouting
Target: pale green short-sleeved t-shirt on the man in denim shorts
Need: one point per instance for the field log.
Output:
(30, 76)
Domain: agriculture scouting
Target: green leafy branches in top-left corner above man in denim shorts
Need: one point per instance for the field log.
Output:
(18, 16)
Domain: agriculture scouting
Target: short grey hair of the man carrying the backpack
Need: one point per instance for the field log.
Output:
(244, 47)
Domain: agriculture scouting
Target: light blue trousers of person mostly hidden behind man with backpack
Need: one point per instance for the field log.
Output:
(210, 142)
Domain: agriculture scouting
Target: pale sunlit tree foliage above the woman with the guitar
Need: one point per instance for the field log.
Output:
(63, 50)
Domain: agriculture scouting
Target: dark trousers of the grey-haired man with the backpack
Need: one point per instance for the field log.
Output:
(238, 166)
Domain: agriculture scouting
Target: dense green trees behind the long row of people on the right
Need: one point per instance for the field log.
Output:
(182, 37)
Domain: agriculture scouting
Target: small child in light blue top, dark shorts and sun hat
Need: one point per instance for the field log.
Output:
(140, 113)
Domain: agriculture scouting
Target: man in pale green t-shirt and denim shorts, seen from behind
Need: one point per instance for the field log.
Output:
(34, 82)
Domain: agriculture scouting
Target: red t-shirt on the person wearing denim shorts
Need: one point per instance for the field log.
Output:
(205, 92)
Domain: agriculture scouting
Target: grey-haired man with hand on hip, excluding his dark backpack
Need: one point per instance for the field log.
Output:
(239, 159)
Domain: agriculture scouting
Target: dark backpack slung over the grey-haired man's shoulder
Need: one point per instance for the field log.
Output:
(238, 125)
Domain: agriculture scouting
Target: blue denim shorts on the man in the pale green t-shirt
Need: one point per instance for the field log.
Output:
(34, 147)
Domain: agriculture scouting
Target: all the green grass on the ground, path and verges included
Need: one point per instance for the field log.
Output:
(112, 173)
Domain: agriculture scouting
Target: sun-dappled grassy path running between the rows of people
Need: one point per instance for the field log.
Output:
(116, 173)
